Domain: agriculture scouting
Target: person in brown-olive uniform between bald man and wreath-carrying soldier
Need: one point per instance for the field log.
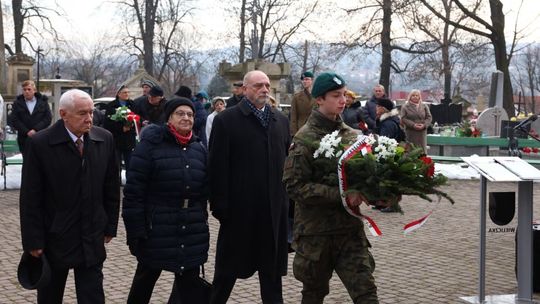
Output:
(302, 103)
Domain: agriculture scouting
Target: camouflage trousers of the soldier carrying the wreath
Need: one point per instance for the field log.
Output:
(348, 255)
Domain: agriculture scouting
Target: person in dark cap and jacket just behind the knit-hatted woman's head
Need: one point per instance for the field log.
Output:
(151, 111)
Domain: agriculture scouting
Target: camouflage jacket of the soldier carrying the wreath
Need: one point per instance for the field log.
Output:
(318, 209)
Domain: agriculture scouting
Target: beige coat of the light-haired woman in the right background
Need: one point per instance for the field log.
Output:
(411, 114)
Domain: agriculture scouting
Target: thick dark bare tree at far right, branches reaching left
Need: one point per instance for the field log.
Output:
(494, 31)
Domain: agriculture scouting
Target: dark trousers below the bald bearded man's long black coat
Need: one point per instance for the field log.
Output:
(271, 289)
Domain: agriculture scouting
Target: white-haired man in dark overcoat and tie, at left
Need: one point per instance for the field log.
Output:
(70, 197)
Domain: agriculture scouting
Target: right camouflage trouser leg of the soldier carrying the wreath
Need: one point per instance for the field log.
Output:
(353, 266)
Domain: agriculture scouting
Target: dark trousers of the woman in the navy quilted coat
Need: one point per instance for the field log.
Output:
(145, 279)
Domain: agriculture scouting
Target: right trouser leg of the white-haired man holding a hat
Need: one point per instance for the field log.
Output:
(89, 284)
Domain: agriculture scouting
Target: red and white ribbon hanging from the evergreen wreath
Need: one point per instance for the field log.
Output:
(361, 146)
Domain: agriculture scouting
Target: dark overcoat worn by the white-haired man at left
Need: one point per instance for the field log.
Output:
(69, 202)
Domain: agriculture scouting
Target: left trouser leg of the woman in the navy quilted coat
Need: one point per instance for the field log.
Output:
(143, 285)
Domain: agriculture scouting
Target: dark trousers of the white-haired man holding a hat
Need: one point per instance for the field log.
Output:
(88, 285)
